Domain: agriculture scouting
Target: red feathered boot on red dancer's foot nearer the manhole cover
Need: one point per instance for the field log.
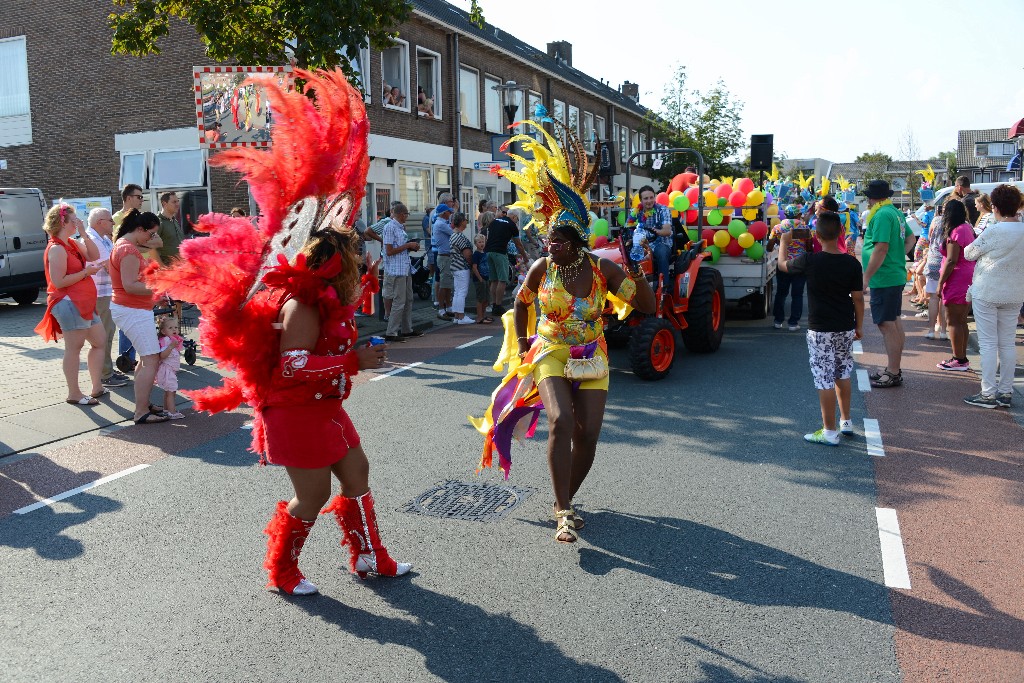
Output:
(359, 527)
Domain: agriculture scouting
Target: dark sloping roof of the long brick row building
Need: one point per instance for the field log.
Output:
(499, 38)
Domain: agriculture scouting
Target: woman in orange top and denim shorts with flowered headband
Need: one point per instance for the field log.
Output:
(71, 301)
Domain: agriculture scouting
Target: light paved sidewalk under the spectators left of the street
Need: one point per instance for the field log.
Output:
(33, 412)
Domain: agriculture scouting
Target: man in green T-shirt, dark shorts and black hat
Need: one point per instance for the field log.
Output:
(885, 274)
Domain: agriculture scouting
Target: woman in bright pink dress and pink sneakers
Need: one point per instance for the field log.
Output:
(955, 279)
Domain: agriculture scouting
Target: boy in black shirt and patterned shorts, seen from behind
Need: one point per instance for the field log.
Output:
(836, 298)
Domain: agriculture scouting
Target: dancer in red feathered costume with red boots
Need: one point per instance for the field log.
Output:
(293, 285)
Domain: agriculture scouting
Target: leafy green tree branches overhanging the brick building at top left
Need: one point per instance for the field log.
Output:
(267, 32)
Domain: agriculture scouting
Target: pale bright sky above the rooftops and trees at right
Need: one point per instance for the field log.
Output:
(831, 80)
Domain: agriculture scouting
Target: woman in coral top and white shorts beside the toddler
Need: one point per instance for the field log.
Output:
(132, 307)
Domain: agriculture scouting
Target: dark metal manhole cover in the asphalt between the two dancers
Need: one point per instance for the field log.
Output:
(477, 502)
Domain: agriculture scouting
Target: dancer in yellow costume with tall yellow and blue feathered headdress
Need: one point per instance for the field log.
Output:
(559, 361)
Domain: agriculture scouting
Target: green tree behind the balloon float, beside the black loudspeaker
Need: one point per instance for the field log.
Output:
(707, 121)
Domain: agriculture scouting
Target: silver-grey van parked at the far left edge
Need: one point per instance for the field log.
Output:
(22, 244)
